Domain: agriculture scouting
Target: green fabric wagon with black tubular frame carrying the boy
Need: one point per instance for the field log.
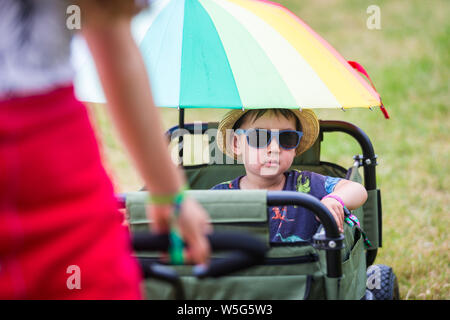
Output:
(333, 266)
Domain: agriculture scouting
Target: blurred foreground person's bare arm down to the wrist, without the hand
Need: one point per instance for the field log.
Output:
(125, 82)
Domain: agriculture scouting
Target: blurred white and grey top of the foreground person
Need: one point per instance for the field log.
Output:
(34, 47)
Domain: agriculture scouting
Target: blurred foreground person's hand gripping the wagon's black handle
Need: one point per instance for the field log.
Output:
(193, 225)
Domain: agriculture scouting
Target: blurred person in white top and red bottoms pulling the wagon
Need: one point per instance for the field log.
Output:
(58, 211)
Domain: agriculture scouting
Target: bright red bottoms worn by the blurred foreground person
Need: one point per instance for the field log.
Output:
(61, 235)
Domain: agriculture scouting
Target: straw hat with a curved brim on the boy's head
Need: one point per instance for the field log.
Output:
(308, 120)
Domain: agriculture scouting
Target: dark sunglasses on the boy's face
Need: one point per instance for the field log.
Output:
(261, 138)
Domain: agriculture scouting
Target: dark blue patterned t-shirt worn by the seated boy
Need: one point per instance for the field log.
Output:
(293, 223)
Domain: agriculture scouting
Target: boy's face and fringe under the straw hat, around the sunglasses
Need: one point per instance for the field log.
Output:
(272, 160)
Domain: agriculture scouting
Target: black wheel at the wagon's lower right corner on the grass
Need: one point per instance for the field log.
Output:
(382, 282)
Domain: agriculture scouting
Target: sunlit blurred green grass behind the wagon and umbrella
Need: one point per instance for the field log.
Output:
(408, 60)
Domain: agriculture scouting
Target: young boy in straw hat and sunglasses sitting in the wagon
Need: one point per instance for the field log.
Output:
(267, 140)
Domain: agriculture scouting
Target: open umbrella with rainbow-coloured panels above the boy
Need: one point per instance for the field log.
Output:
(242, 54)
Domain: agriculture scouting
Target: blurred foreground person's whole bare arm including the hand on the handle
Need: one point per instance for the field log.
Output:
(127, 89)
